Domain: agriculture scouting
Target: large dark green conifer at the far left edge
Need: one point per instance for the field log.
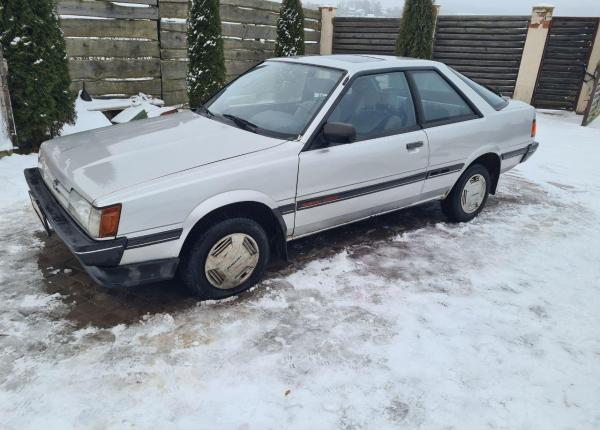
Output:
(38, 80)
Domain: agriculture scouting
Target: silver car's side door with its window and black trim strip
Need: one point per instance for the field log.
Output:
(384, 169)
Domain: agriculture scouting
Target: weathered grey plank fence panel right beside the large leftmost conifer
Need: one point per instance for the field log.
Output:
(114, 49)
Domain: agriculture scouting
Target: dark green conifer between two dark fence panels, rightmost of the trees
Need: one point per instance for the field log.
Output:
(416, 29)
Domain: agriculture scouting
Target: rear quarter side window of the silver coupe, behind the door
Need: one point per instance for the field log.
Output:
(439, 100)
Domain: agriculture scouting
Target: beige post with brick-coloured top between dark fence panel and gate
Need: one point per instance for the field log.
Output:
(533, 52)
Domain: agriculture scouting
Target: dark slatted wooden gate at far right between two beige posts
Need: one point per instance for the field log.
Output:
(565, 60)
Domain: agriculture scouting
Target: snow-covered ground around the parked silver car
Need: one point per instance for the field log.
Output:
(406, 321)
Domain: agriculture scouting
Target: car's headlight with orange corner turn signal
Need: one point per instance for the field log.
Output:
(98, 222)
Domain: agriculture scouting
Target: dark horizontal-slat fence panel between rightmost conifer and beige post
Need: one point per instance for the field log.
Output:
(488, 49)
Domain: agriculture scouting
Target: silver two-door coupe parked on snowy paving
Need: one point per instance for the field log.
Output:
(293, 147)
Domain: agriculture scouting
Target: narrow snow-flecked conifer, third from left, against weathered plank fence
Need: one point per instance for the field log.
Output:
(290, 29)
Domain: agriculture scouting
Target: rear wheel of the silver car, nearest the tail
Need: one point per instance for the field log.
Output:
(469, 195)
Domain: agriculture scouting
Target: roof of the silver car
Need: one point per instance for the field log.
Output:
(358, 62)
